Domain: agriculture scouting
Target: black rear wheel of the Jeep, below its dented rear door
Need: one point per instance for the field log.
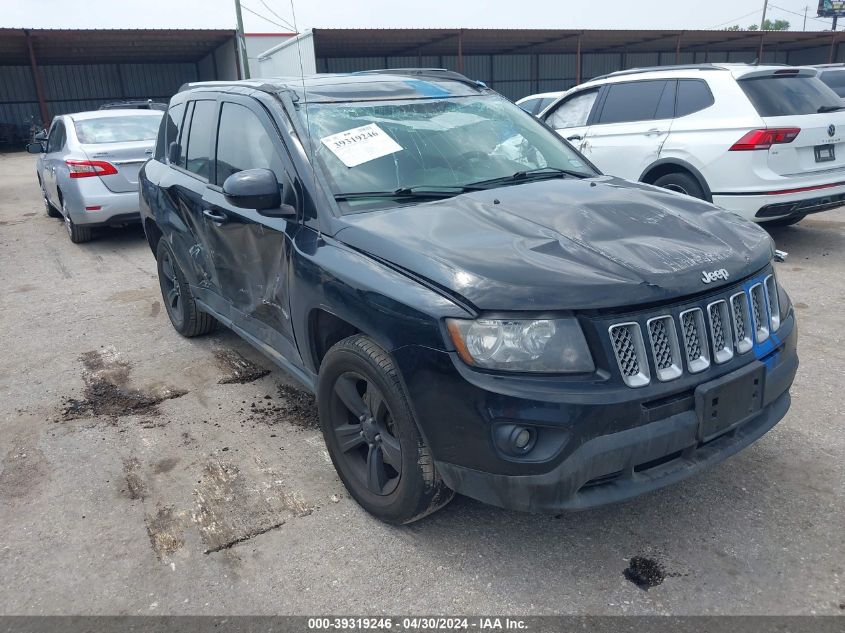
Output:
(186, 317)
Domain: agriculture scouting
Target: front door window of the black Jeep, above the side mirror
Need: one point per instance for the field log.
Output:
(243, 143)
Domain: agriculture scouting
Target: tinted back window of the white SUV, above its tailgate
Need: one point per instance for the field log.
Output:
(788, 95)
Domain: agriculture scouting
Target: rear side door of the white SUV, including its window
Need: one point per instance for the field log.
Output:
(630, 127)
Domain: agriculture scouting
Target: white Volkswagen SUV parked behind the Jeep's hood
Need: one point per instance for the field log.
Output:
(767, 142)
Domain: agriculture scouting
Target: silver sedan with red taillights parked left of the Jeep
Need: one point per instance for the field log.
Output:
(88, 167)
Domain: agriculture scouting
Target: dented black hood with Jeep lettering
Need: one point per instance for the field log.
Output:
(564, 244)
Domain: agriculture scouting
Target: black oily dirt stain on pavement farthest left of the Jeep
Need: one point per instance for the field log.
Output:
(106, 392)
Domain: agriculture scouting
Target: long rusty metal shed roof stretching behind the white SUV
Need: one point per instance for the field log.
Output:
(381, 42)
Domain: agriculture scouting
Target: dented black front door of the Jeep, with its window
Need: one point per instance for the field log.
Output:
(251, 252)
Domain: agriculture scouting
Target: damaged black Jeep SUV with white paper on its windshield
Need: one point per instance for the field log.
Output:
(477, 308)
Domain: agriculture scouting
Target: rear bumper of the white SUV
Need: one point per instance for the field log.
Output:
(760, 207)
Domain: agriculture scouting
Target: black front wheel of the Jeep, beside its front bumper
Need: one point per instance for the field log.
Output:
(372, 437)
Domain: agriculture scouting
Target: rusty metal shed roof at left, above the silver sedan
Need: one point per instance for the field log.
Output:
(74, 46)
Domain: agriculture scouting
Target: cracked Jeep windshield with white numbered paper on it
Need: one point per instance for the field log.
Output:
(376, 152)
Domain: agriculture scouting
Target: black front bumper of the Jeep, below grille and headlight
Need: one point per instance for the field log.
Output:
(597, 446)
